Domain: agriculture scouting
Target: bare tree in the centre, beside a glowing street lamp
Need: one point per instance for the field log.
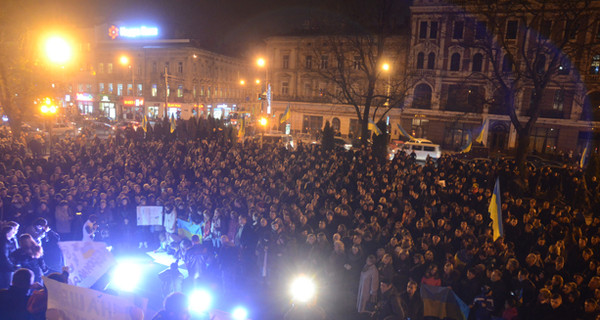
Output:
(360, 43)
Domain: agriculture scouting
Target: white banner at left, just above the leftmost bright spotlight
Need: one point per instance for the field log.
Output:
(87, 261)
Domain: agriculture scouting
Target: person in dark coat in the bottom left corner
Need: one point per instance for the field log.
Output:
(13, 301)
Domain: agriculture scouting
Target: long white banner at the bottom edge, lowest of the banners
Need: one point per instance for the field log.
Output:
(67, 302)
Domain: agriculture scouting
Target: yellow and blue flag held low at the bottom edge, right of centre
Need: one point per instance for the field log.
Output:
(443, 303)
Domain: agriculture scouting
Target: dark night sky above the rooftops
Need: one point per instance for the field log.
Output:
(227, 26)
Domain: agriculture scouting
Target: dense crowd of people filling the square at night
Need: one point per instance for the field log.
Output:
(372, 230)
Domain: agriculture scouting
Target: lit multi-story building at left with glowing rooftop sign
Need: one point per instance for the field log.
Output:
(123, 73)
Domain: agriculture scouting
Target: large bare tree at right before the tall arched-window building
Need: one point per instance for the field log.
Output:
(530, 48)
